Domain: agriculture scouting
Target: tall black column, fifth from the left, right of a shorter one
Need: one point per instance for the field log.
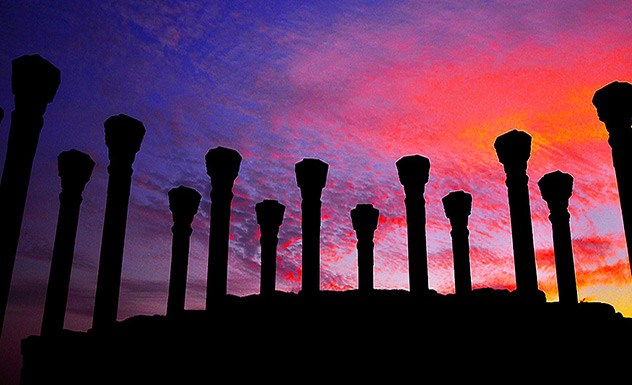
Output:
(222, 165)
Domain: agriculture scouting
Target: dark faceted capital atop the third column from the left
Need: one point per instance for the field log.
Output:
(123, 136)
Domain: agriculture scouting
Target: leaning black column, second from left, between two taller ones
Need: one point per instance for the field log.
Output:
(75, 169)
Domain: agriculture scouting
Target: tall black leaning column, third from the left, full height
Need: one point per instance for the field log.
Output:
(123, 137)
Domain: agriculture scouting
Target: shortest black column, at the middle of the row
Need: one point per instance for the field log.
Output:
(364, 218)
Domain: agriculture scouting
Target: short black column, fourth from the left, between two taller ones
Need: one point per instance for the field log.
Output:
(183, 203)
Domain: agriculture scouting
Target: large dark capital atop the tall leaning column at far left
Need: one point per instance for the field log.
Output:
(34, 79)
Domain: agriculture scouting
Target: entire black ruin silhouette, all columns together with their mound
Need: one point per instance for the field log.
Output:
(185, 343)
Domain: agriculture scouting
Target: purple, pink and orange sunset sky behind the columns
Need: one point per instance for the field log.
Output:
(355, 84)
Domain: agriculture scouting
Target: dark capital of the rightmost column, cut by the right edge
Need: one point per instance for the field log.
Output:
(614, 105)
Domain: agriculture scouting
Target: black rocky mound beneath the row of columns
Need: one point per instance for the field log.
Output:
(353, 334)
